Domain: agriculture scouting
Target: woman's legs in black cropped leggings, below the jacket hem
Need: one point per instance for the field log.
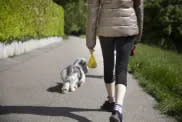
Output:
(116, 87)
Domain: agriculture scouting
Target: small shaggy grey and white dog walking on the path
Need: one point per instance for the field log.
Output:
(73, 76)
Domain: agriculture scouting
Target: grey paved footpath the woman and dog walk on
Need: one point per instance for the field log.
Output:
(30, 89)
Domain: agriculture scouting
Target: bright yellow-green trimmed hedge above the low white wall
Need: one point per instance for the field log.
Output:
(25, 19)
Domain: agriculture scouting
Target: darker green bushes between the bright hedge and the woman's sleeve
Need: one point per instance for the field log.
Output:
(75, 16)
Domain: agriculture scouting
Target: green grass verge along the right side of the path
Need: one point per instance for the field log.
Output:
(160, 72)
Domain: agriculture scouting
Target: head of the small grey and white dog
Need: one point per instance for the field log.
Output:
(82, 63)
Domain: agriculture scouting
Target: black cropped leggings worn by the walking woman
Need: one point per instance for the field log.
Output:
(123, 46)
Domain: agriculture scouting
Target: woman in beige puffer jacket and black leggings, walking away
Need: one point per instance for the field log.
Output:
(119, 25)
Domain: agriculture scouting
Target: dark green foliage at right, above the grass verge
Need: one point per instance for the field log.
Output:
(163, 23)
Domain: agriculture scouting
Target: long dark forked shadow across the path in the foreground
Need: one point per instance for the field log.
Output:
(47, 111)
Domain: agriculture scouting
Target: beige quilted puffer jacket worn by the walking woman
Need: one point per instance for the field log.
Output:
(113, 18)
